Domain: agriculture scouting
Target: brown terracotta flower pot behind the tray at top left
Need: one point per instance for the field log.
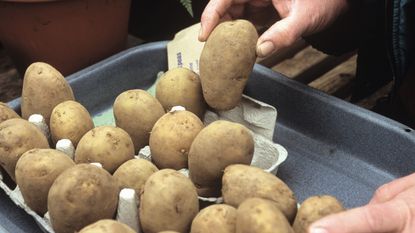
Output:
(68, 34)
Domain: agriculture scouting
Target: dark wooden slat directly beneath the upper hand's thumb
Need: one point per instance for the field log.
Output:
(282, 54)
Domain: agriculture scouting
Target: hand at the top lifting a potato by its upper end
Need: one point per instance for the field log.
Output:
(299, 18)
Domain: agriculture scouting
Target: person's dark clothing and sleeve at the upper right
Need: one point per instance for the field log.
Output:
(382, 33)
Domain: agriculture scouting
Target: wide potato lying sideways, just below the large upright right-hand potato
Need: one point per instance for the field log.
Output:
(240, 182)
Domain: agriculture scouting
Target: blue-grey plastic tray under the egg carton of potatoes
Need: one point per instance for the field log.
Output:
(333, 147)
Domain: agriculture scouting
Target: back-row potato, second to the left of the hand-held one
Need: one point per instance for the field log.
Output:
(136, 111)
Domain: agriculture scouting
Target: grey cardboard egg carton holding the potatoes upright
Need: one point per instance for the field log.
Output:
(258, 117)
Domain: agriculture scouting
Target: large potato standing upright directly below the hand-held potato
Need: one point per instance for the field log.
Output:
(218, 145)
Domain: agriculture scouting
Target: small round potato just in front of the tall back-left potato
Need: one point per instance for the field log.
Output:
(70, 120)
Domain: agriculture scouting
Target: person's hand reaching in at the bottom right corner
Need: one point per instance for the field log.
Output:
(391, 210)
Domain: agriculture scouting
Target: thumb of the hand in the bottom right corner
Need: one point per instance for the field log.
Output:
(376, 218)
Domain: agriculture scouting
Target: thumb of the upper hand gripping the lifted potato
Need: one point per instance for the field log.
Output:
(280, 35)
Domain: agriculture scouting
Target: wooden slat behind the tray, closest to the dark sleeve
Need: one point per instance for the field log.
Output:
(338, 80)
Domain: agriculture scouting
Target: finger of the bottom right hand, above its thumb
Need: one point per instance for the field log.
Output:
(388, 191)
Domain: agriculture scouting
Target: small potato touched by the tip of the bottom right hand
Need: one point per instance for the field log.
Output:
(313, 209)
